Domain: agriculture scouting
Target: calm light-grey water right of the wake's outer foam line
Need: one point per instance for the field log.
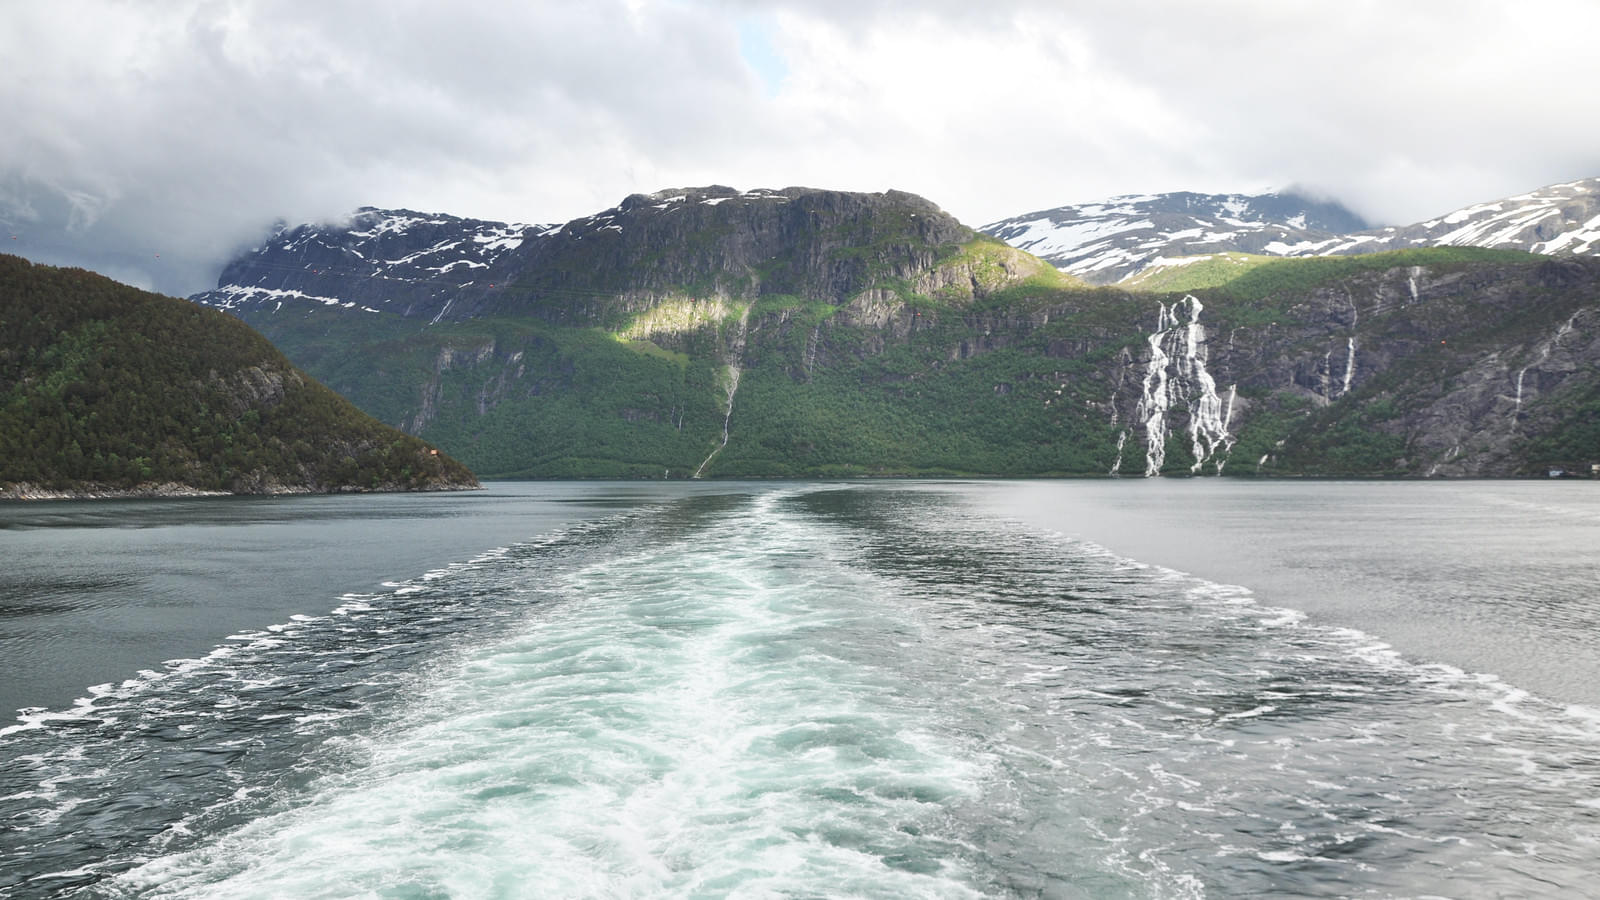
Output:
(1492, 577)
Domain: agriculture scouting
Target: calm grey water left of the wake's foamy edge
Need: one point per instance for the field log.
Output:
(97, 592)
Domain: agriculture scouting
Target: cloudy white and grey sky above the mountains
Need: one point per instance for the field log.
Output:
(153, 142)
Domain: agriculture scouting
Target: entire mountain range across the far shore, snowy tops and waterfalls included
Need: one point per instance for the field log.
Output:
(804, 332)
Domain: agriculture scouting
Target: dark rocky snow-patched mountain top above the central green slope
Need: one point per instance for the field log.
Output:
(711, 239)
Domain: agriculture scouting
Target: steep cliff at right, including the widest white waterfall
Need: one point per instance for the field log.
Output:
(1406, 371)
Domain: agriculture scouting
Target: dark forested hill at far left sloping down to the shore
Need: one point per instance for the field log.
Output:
(110, 388)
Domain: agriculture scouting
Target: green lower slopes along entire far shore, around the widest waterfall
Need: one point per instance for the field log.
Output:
(1377, 366)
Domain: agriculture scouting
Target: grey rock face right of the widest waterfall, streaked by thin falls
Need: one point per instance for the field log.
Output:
(1463, 369)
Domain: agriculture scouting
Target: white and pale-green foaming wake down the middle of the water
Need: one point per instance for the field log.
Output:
(687, 725)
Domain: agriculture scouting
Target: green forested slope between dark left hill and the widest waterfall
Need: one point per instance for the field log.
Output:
(820, 393)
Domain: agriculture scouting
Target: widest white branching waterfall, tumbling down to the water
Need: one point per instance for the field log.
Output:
(1177, 376)
